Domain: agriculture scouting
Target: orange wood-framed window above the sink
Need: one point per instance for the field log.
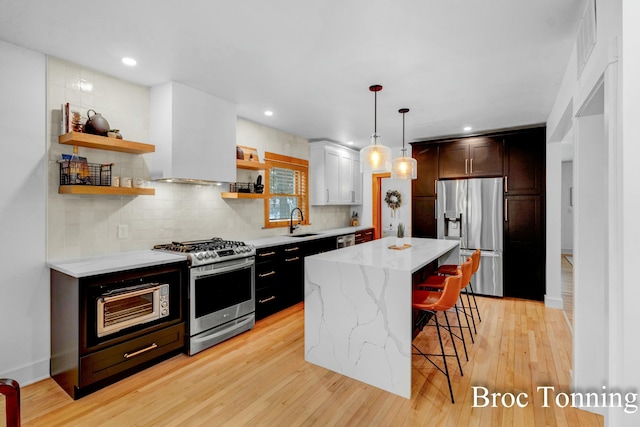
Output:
(286, 184)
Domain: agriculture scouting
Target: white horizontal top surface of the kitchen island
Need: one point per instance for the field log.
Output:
(377, 253)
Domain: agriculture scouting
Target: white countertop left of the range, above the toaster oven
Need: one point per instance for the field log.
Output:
(92, 266)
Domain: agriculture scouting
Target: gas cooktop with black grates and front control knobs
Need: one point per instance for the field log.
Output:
(201, 252)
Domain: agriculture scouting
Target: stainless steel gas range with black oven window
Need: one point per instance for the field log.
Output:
(221, 289)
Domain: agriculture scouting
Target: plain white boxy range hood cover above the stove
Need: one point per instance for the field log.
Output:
(194, 134)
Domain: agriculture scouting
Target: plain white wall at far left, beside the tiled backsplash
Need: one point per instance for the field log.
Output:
(24, 288)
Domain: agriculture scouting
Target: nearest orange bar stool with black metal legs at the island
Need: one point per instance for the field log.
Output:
(428, 304)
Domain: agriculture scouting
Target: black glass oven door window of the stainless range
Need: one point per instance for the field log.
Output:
(218, 291)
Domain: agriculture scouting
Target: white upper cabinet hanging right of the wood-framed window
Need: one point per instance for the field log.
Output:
(335, 175)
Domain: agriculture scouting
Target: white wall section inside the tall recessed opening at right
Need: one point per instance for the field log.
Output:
(590, 284)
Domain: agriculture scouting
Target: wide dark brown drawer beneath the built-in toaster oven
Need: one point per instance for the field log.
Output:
(114, 360)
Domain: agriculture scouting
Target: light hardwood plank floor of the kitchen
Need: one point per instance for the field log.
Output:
(260, 378)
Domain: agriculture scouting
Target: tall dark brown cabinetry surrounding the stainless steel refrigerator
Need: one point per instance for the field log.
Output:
(518, 156)
